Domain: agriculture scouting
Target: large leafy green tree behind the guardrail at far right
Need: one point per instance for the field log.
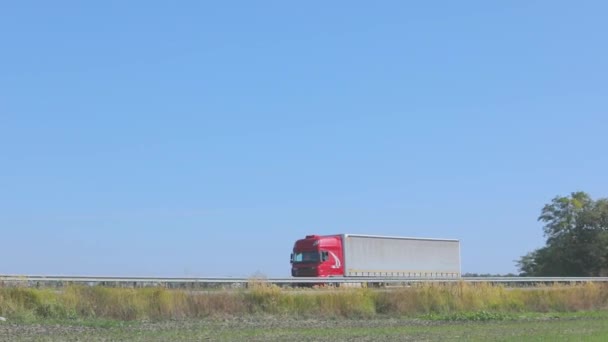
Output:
(576, 228)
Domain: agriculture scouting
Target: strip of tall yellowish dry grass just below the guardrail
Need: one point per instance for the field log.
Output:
(450, 302)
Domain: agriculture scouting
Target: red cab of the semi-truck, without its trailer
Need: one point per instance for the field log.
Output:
(318, 256)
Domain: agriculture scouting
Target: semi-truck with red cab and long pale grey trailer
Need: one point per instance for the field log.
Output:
(355, 255)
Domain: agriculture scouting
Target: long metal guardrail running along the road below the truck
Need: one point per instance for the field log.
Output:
(37, 280)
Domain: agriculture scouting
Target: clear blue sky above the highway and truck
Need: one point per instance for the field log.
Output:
(199, 138)
